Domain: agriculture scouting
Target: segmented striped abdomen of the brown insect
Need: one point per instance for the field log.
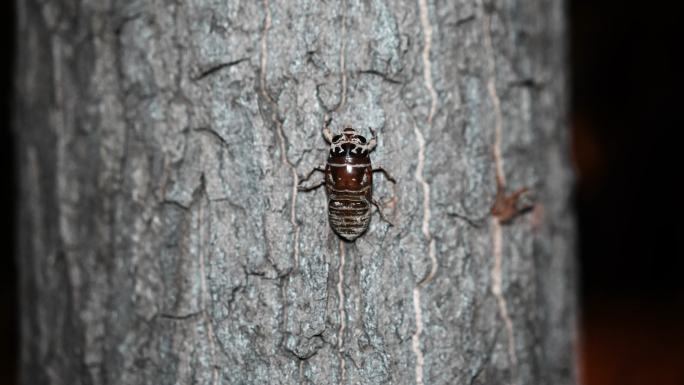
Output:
(348, 212)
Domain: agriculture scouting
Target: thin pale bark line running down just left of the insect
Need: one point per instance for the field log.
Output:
(279, 129)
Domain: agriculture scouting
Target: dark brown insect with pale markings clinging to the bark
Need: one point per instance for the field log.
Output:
(348, 182)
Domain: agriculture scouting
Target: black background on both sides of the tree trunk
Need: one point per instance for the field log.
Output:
(626, 117)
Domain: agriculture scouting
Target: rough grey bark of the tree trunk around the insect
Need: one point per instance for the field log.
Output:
(162, 239)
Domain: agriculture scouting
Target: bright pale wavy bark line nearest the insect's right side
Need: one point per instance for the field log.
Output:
(429, 85)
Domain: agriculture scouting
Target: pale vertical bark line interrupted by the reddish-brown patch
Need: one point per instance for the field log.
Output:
(497, 242)
